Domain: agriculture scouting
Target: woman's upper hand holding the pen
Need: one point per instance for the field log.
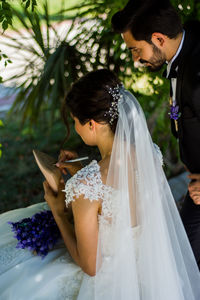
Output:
(63, 165)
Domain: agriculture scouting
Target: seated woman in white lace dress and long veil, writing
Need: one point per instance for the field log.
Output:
(127, 241)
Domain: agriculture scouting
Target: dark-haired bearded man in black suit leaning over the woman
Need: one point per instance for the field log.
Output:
(153, 32)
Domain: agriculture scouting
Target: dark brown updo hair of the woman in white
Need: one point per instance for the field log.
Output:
(89, 98)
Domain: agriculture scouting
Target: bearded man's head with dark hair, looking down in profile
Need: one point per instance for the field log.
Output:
(151, 29)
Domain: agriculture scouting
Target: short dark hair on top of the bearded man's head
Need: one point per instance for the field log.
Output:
(144, 17)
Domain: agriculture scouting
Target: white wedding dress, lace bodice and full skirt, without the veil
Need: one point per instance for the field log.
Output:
(56, 277)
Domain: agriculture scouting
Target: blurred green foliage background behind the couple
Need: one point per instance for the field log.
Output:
(51, 66)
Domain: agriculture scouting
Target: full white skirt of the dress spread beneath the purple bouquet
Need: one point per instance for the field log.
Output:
(26, 276)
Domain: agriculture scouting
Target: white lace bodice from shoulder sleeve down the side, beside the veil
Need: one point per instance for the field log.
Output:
(88, 182)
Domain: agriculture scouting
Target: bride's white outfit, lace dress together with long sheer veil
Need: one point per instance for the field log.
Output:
(143, 252)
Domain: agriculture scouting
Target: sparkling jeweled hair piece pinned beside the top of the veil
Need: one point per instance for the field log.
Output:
(113, 112)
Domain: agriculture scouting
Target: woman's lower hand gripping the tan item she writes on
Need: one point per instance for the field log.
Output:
(55, 202)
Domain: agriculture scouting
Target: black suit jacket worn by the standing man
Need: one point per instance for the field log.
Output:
(188, 98)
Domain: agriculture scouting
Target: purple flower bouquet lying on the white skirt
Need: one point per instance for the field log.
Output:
(38, 233)
